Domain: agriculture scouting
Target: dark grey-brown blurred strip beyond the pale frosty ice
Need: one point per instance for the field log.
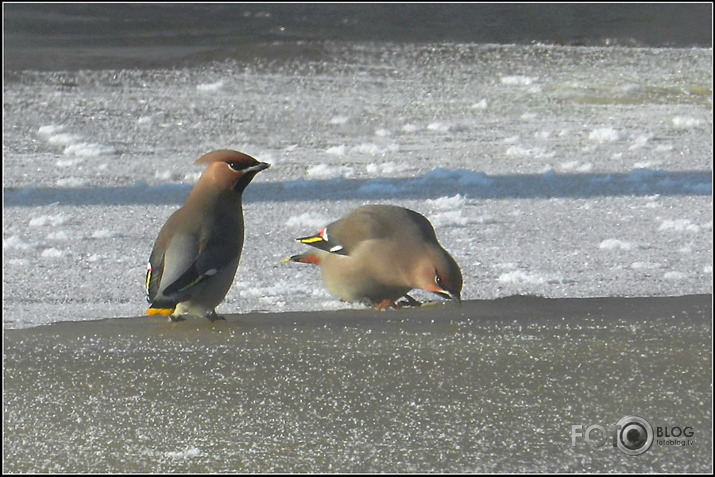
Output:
(71, 36)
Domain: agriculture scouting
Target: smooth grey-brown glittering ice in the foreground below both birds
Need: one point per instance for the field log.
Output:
(492, 386)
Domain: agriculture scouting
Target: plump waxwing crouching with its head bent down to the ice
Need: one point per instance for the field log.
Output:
(378, 253)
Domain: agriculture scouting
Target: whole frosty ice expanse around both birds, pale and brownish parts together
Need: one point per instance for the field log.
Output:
(560, 172)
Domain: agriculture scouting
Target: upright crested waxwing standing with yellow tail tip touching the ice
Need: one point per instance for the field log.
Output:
(196, 254)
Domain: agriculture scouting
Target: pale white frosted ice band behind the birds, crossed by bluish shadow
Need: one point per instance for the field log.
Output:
(553, 171)
